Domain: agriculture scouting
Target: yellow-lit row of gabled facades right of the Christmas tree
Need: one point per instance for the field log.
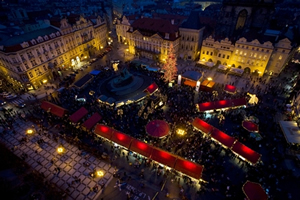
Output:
(250, 56)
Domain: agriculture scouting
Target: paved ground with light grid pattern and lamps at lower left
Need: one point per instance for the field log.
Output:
(41, 154)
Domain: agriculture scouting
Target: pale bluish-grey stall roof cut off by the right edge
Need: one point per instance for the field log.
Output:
(291, 131)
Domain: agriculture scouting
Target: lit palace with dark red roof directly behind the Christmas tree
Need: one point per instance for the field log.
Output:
(151, 38)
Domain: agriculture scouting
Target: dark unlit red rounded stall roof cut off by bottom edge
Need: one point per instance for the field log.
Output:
(254, 191)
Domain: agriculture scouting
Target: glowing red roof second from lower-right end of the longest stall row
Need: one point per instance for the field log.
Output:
(163, 157)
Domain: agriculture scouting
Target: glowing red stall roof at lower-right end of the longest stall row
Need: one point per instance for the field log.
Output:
(189, 168)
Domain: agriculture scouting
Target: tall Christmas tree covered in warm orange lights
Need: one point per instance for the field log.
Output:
(169, 67)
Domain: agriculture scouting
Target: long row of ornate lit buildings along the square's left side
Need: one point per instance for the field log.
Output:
(30, 60)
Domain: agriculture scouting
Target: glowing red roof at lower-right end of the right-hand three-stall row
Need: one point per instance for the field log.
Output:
(246, 152)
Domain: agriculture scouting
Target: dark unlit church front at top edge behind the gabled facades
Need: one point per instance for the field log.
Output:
(236, 16)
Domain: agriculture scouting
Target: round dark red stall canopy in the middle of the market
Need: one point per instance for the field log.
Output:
(158, 128)
